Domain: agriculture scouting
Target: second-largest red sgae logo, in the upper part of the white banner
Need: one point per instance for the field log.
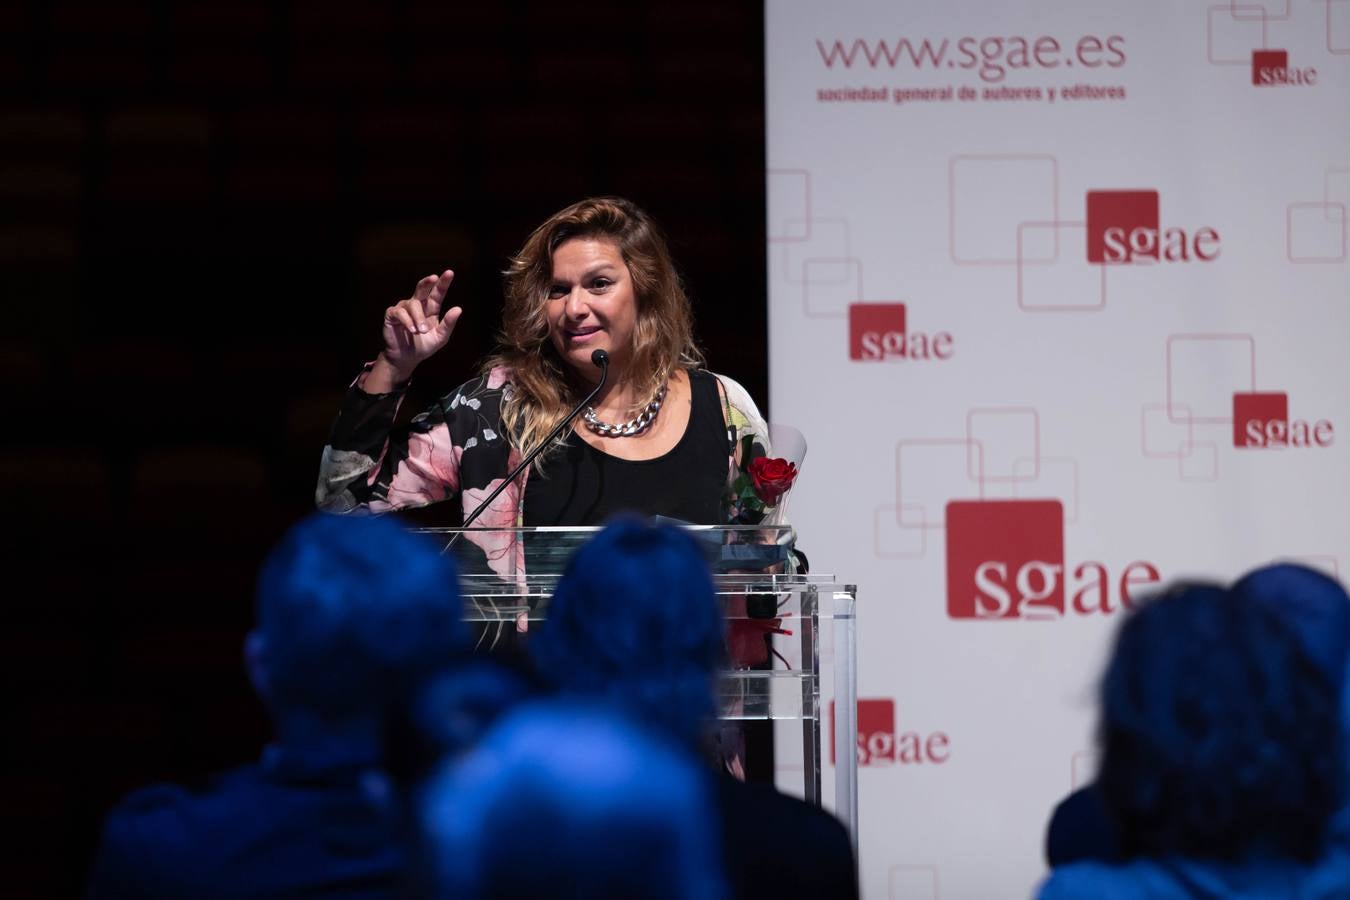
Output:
(1124, 227)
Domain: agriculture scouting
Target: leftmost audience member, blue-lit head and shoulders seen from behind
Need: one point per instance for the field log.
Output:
(352, 615)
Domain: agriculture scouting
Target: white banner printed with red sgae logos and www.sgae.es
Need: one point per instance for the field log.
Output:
(1060, 300)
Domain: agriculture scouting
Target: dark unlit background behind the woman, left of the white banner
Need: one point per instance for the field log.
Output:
(205, 210)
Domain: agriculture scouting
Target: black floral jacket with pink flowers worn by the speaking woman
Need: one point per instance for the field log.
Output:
(457, 449)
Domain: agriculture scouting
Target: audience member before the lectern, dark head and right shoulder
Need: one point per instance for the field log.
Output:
(635, 623)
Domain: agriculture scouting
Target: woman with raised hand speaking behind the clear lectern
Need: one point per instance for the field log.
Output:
(662, 437)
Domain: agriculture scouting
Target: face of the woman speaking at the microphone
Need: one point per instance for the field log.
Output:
(591, 304)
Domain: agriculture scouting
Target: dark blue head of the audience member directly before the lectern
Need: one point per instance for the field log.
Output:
(637, 620)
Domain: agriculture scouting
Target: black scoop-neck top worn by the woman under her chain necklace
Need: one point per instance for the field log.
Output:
(585, 486)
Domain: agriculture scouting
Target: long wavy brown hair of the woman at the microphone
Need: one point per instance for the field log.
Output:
(543, 391)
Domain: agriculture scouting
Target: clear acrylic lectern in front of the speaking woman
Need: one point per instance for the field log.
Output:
(792, 638)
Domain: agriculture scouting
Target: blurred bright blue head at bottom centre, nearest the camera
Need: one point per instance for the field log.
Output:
(572, 802)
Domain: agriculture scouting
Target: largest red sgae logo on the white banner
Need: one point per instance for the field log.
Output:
(1005, 561)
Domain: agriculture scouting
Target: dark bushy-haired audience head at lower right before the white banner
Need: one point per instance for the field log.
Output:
(1221, 736)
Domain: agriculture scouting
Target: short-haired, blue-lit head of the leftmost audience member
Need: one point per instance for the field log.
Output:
(353, 612)
